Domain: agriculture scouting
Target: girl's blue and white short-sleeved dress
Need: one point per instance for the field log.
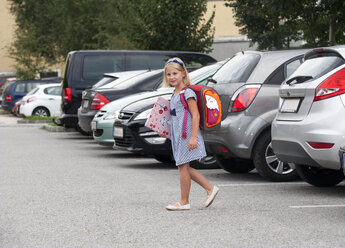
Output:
(179, 145)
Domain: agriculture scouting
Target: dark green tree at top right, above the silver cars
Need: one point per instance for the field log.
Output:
(275, 23)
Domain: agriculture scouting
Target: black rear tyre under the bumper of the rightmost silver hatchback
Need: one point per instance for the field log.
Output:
(320, 177)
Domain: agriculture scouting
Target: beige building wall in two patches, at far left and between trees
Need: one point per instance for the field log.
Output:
(223, 21)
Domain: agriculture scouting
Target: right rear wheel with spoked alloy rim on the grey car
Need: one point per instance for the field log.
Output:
(267, 163)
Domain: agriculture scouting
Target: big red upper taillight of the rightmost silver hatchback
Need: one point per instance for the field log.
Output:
(332, 86)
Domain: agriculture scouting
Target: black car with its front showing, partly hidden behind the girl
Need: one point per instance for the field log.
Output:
(131, 134)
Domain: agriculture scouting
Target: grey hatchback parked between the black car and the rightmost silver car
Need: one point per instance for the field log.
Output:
(248, 84)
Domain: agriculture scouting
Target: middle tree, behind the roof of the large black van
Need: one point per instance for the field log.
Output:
(168, 24)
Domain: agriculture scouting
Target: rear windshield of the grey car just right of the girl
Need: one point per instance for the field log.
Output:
(237, 69)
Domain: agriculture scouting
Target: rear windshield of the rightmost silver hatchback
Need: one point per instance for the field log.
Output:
(319, 65)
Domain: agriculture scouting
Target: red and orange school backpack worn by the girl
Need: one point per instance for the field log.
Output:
(209, 105)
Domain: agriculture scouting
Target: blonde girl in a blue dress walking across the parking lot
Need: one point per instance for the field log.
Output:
(192, 147)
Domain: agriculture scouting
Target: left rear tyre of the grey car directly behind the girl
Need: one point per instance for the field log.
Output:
(235, 165)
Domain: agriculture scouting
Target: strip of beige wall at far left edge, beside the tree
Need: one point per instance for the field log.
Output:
(7, 28)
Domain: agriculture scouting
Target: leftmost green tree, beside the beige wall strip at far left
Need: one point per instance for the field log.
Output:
(48, 30)
